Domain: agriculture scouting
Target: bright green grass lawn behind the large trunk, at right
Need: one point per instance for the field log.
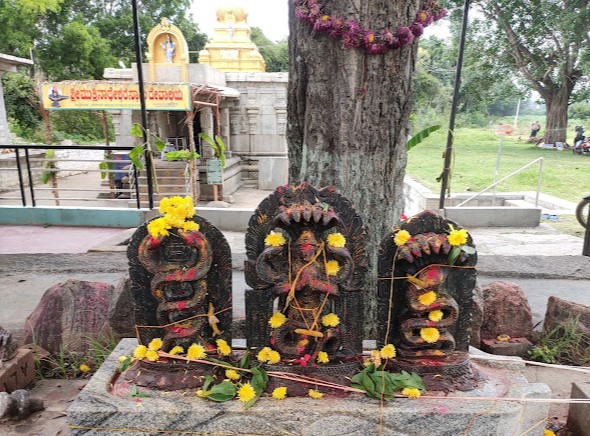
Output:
(565, 175)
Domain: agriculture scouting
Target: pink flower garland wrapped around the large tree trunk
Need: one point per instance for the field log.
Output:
(353, 35)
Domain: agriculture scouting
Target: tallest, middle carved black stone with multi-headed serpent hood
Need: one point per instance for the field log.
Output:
(306, 265)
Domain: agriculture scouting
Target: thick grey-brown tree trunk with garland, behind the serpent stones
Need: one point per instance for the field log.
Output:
(348, 118)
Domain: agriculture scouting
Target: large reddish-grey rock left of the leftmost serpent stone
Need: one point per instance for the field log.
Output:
(69, 314)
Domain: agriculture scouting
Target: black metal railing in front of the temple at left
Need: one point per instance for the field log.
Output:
(33, 167)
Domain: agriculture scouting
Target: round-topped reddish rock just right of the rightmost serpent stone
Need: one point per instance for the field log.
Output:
(506, 312)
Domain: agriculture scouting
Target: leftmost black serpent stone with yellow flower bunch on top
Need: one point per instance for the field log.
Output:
(181, 282)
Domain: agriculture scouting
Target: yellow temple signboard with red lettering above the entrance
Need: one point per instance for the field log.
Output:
(99, 95)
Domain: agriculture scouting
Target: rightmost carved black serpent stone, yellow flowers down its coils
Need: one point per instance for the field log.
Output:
(425, 292)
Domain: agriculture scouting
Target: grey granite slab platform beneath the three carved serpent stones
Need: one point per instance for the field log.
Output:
(97, 411)
